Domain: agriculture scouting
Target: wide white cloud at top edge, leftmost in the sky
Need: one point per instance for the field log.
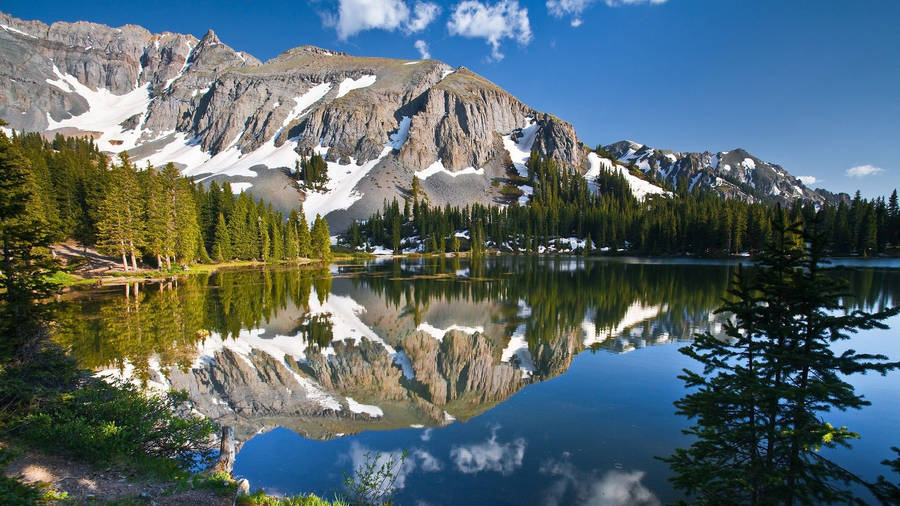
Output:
(355, 16)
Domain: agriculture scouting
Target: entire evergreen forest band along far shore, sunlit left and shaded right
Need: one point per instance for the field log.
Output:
(159, 216)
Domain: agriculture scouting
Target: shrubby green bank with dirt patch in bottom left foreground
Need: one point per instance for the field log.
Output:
(60, 428)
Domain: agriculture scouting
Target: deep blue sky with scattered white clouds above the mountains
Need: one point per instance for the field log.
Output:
(813, 85)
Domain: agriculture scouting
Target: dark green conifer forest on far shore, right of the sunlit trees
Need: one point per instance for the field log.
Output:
(564, 214)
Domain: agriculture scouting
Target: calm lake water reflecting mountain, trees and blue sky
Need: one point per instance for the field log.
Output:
(509, 381)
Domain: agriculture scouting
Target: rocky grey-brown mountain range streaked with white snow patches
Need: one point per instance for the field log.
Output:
(222, 115)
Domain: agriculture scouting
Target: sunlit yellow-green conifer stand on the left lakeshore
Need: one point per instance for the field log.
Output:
(155, 214)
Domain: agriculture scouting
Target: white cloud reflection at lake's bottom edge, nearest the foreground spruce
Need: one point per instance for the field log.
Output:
(613, 488)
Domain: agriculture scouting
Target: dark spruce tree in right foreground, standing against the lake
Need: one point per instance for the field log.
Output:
(760, 399)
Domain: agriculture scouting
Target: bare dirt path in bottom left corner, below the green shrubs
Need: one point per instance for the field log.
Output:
(88, 485)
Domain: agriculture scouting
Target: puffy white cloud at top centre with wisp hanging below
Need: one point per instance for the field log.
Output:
(491, 22)
